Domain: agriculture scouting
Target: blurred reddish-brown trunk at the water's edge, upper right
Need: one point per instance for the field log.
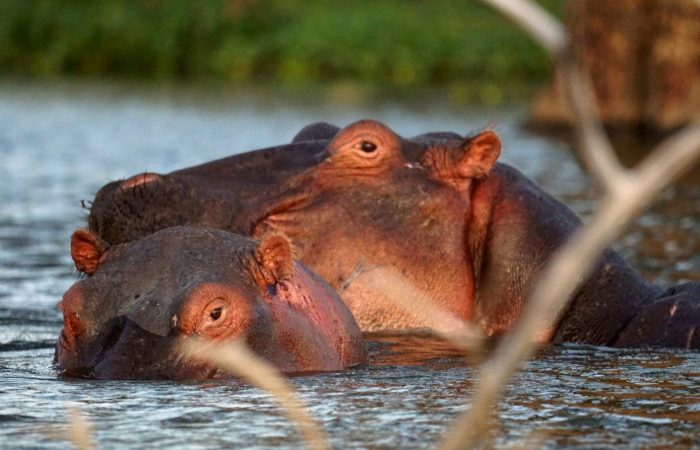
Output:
(644, 59)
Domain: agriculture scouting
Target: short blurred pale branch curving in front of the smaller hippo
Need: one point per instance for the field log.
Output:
(237, 359)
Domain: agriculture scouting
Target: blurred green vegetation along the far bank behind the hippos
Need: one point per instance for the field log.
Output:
(396, 43)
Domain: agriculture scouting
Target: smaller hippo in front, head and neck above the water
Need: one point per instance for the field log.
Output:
(141, 300)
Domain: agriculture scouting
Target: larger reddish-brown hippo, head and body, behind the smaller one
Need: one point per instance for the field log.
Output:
(468, 233)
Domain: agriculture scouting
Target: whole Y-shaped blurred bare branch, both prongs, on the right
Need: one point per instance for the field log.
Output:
(628, 192)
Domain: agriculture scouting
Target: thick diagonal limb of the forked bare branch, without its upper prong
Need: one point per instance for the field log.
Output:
(573, 262)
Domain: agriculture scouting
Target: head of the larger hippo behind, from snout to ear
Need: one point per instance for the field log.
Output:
(353, 205)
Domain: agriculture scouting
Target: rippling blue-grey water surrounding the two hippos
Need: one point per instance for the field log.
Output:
(59, 144)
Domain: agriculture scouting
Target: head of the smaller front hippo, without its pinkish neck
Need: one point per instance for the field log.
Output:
(140, 300)
